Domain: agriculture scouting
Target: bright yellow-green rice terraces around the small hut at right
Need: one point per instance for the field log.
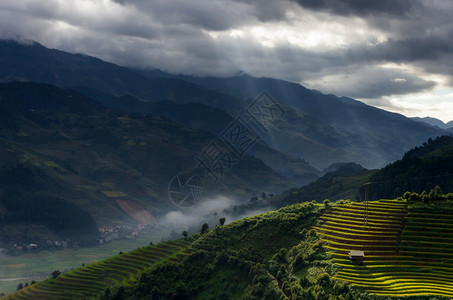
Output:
(406, 253)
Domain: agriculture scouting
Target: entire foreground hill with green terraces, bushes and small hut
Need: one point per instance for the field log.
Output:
(345, 250)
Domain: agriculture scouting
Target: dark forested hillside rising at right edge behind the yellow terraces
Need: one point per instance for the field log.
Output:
(420, 169)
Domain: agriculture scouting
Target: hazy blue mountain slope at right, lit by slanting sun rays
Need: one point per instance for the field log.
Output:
(371, 136)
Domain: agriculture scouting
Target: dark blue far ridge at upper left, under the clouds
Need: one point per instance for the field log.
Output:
(37, 63)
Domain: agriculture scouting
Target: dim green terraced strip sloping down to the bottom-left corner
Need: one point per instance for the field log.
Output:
(91, 281)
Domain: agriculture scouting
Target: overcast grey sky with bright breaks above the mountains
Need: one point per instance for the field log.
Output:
(394, 54)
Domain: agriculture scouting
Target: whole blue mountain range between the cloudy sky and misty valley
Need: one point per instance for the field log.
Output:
(110, 141)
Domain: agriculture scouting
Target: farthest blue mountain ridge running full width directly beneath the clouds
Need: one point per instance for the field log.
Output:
(320, 129)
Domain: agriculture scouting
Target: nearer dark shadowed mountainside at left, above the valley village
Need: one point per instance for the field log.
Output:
(59, 144)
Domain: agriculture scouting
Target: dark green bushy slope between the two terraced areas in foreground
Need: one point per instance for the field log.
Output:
(270, 256)
